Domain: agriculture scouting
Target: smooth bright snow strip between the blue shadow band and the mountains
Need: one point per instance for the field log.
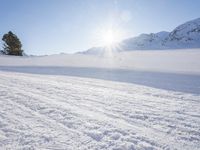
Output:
(171, 61)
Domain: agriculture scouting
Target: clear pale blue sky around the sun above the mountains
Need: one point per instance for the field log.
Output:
(55, 26)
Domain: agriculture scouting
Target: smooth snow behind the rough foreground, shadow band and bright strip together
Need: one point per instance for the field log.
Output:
(176, 70)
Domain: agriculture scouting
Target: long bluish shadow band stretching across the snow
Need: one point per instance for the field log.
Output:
(167, 81)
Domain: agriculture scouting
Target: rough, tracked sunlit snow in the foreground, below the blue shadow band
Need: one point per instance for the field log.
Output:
(62, 112)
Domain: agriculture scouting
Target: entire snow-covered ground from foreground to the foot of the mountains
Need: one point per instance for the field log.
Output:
(141, 100)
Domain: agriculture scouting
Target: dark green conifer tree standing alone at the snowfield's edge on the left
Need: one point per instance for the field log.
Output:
(12, 45)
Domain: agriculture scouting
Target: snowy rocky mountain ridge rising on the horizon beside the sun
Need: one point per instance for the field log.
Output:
(184, 36)
